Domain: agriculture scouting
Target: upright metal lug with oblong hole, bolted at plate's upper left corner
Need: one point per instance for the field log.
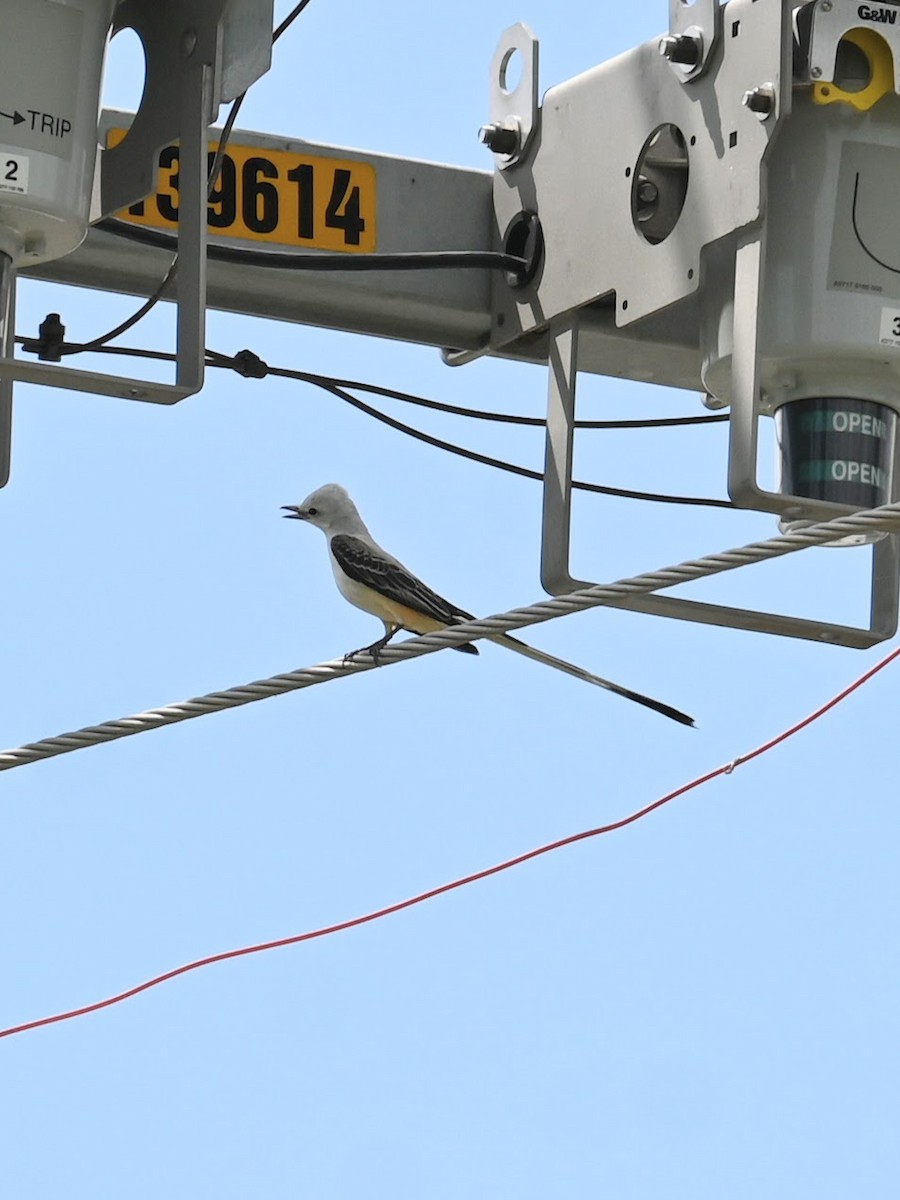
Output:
(514, 104)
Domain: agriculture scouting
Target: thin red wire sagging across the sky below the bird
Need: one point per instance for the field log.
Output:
(467, 879)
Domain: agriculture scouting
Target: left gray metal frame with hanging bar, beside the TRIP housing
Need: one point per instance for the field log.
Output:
(199, 52)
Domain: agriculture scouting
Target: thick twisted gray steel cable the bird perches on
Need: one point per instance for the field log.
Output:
(609, 595)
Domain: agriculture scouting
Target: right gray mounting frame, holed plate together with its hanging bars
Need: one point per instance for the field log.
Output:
(578, 167)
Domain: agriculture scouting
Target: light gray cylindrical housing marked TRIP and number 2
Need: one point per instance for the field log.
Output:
(52, 57)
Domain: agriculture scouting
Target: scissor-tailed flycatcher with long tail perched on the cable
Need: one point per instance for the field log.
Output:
(375, 581)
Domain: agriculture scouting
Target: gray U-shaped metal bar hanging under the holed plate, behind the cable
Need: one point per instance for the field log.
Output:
(557, 511)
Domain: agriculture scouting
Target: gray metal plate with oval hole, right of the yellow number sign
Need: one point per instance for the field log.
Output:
(579, 173)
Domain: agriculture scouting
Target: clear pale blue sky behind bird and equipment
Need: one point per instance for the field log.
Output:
(699, 1006)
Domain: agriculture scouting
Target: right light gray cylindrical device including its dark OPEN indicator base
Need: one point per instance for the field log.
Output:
(829, 349)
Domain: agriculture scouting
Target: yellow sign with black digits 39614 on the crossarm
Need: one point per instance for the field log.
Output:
(277, 196)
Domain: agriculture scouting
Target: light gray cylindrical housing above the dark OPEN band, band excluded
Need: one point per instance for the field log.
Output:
(830, 310)
